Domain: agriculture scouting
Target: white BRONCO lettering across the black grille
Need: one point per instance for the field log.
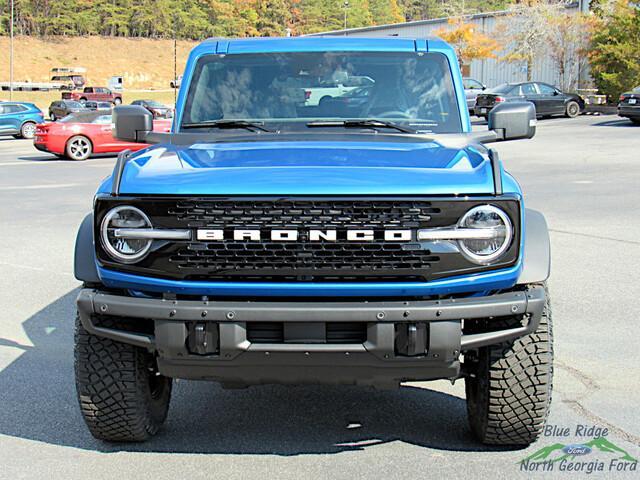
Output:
(208, 235)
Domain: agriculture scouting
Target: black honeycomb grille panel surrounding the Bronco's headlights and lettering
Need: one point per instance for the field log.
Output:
(303, 260)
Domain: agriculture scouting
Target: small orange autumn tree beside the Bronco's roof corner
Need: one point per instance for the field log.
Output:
(468, 42)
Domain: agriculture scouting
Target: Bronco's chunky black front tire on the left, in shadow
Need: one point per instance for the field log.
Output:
(122, 397)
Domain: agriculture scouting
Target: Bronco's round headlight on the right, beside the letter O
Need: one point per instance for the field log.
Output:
(493, 233)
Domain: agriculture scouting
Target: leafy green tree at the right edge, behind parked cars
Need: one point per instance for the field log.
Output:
(615, 55)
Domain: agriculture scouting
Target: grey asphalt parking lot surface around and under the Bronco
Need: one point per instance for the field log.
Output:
(583, 174)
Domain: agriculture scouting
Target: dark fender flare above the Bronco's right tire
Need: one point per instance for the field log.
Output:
(536, 261)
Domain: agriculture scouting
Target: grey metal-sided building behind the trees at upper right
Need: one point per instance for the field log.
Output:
(492, 71)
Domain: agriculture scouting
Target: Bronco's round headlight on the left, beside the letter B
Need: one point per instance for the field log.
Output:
(122, 249)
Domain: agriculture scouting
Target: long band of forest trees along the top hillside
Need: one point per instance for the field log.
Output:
(202, 18)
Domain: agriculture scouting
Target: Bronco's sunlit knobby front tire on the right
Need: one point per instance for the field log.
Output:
(509, 385)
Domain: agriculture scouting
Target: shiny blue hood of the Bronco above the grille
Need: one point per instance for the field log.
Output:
(308, 168)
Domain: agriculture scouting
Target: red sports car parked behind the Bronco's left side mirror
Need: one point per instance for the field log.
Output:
(80, 135)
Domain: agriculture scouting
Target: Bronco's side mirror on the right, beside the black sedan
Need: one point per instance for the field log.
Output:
(513, 120)
